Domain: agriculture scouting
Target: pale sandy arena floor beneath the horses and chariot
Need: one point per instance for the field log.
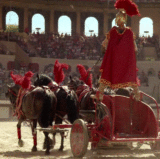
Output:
(9, 148)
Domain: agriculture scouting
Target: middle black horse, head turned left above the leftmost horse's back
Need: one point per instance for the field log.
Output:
(67, 101)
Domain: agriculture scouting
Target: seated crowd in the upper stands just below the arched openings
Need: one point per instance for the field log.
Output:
(70, 47)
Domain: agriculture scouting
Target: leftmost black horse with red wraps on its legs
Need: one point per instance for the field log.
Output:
(35, 105)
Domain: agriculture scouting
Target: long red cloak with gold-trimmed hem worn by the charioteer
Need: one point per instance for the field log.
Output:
(119, 63)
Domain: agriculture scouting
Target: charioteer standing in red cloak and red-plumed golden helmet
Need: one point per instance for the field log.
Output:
(118, 68)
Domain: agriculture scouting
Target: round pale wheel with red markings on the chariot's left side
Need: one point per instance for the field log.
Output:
(79, 138)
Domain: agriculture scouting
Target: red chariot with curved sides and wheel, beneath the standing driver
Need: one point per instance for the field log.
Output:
(118, 121)
